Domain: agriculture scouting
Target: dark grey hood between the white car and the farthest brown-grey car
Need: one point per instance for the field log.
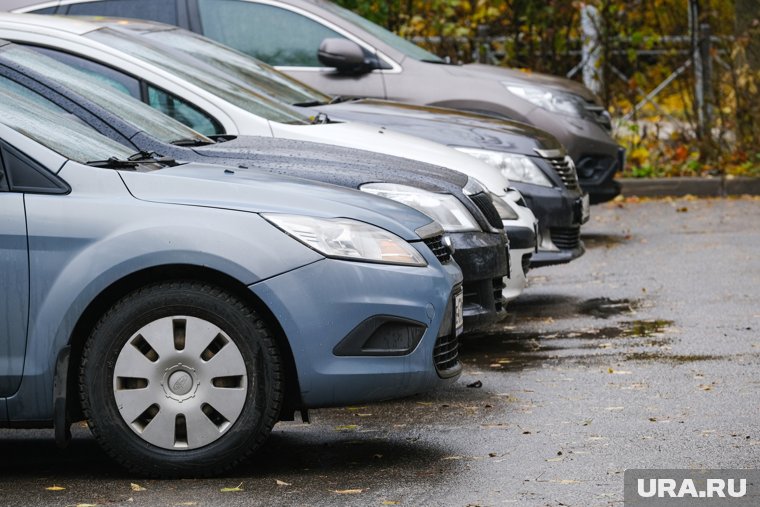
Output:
(446, 126)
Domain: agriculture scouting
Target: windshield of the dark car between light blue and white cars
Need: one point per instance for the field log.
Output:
(103, 93)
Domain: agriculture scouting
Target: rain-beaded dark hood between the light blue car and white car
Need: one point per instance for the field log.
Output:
(331, 164)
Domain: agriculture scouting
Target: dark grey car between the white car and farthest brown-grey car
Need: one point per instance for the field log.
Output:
(534, 161)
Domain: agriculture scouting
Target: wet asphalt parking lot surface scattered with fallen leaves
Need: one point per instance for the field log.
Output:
(644, 353)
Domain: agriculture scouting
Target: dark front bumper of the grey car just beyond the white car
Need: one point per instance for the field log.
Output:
(559, 220)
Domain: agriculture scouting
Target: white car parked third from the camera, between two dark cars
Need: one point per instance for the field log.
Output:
(212, 104)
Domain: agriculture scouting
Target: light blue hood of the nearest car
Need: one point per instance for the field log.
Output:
(222, 187)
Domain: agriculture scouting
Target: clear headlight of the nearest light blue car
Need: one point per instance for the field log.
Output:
(343, 238)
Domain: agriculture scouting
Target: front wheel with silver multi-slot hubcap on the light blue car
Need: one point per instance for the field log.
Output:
(180, 379)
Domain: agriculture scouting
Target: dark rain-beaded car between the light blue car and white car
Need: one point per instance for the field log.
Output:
(471, 222)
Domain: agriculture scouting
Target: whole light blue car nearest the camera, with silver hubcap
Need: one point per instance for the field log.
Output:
(183, 309)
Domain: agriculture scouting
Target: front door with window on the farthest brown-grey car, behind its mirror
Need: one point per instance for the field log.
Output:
(285, 37)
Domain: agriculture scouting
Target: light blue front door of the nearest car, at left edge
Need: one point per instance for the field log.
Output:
(14, 276)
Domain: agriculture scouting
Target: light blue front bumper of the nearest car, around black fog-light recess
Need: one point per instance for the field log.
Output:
(320, 304)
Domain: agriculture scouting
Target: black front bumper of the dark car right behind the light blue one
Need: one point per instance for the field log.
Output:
(484, 262)
